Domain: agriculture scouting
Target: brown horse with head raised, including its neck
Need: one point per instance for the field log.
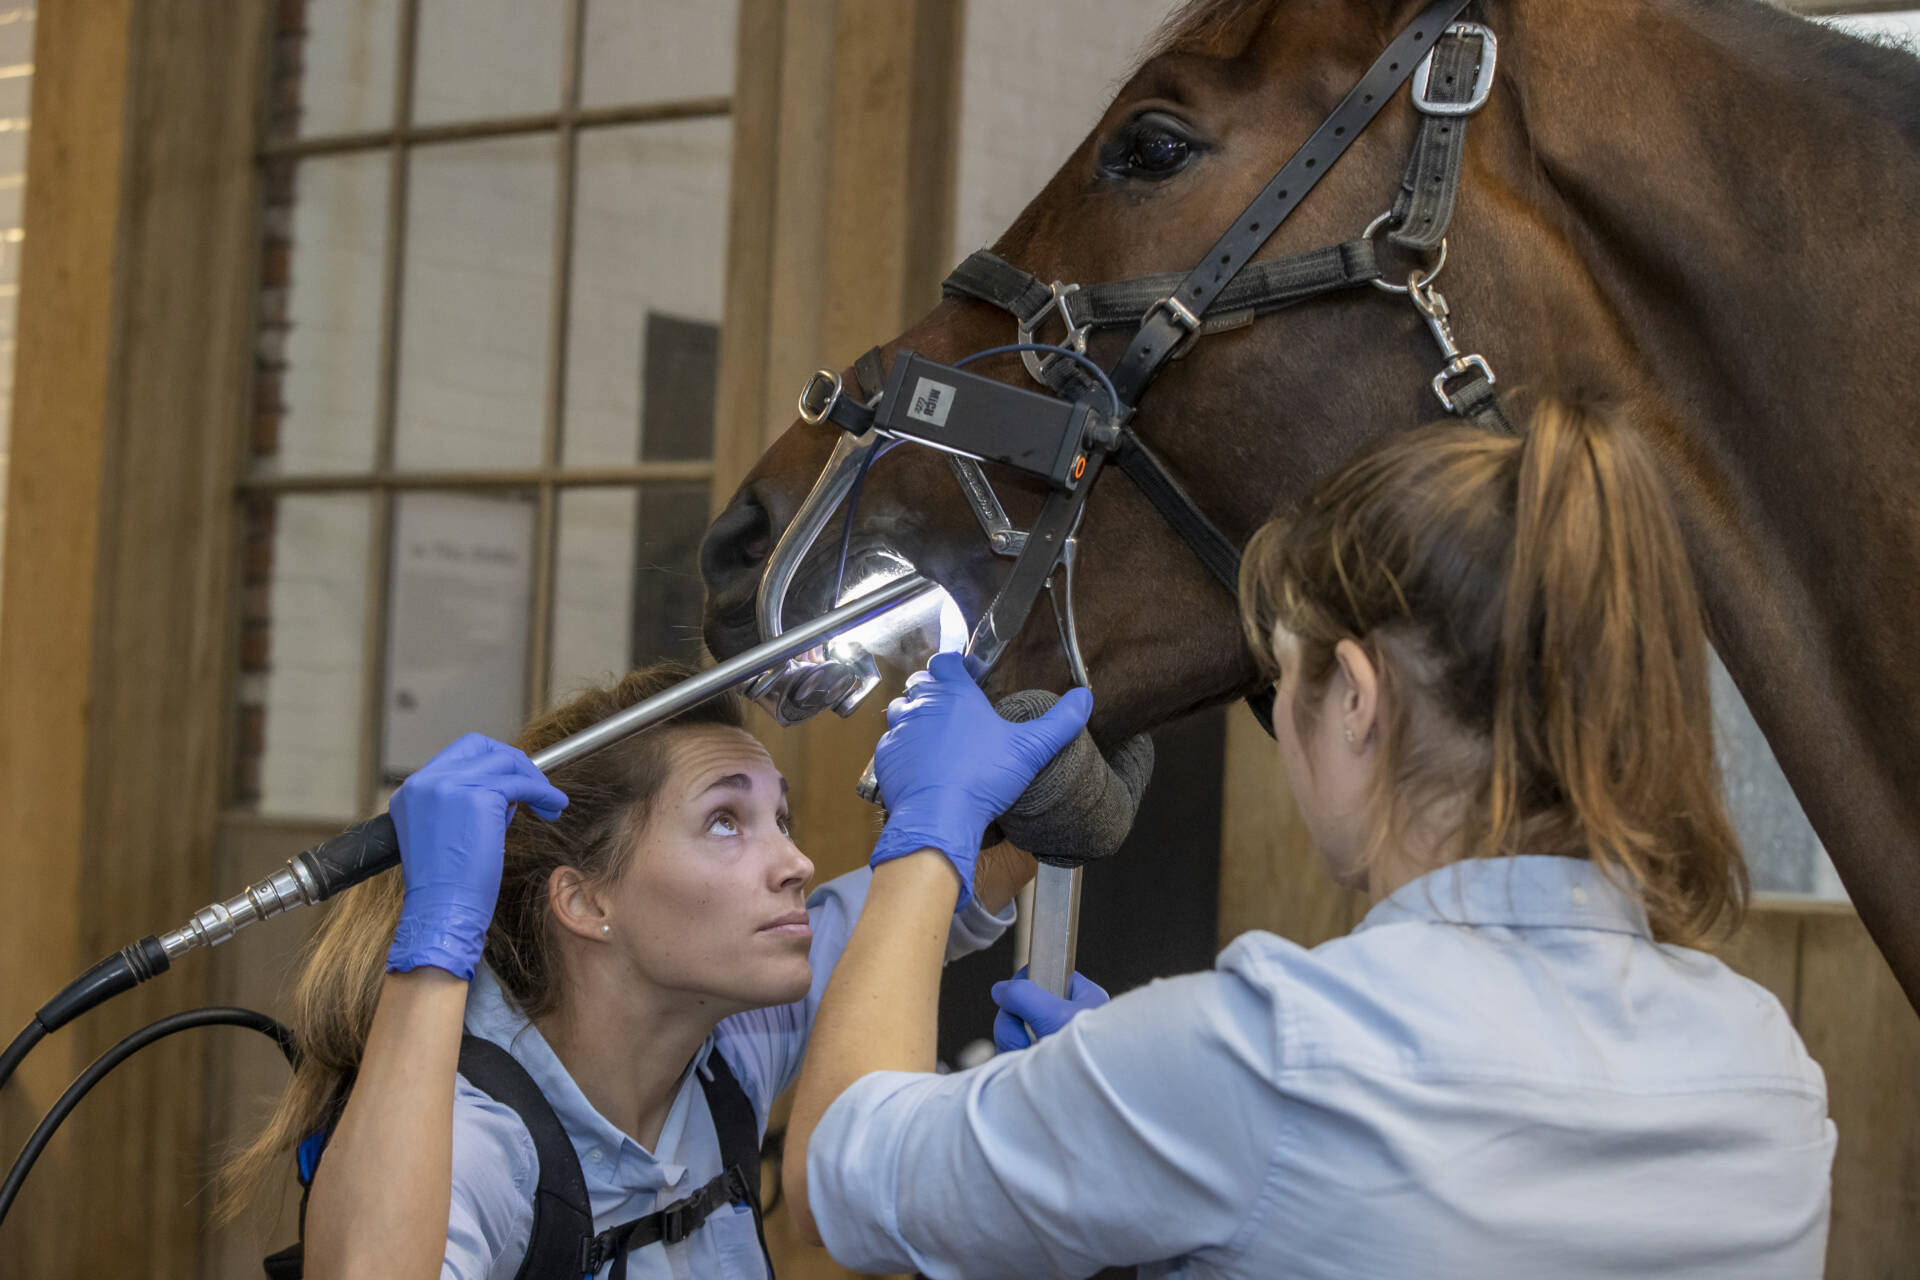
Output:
(1692, 208)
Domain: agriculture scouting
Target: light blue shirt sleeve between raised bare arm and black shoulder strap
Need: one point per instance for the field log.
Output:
(494, 1177)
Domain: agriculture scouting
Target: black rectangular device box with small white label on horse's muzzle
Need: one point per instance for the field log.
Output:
(986, 419)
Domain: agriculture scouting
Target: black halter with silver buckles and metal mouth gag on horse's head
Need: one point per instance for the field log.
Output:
(1068, 437)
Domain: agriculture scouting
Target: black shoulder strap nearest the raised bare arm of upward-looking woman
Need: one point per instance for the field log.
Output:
(564, 1218)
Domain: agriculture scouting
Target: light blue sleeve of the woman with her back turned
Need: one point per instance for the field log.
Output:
(1134, 1135)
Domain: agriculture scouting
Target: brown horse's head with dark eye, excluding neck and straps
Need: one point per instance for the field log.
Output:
(1245, 421)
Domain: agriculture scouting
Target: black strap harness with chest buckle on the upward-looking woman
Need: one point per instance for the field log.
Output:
(562, 1241)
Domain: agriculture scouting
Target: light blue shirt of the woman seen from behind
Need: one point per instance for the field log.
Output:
(1499, 1074)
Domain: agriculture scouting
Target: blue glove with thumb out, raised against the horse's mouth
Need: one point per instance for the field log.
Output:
(949, 765)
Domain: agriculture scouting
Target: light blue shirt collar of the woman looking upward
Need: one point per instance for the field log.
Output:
(494, 1016)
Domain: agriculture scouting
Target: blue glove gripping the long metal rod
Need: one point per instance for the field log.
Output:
(452, 822)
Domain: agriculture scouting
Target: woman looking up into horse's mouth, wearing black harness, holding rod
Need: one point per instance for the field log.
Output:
(631, 955)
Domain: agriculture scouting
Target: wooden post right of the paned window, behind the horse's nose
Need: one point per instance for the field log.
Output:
(846, 124)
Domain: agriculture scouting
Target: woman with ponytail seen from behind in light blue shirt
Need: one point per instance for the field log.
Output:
(1493, 713)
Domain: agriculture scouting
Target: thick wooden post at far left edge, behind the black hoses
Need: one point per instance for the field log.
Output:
(130, 400)
